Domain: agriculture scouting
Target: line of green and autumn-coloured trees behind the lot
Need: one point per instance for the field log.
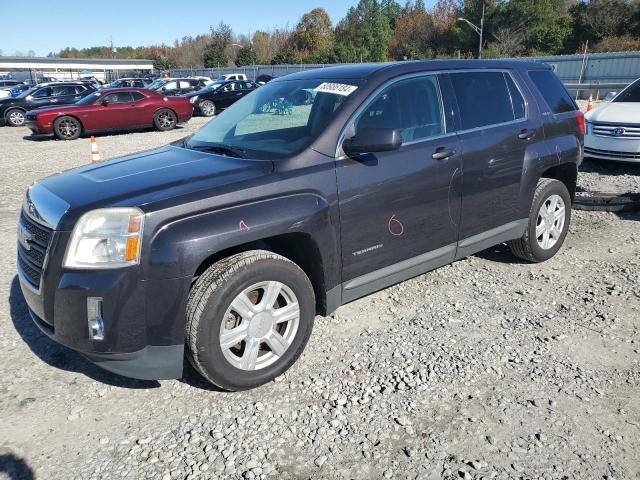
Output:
(381, 30)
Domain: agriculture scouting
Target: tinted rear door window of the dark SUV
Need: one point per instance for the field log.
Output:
(483, 99)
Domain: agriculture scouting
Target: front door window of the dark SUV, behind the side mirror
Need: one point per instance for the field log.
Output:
(412, 106)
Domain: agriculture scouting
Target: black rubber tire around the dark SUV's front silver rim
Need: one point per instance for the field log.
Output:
(209, 304)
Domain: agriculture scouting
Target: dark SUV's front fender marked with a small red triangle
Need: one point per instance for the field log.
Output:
(179, 247)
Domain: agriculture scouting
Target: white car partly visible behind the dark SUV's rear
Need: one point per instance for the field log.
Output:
(613, 130)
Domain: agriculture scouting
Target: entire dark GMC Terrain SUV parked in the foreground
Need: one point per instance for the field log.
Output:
(226, 245)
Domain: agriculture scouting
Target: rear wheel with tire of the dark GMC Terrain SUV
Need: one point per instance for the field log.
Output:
(549, 221)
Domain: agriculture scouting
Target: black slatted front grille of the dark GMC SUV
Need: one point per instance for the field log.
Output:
(32, 250)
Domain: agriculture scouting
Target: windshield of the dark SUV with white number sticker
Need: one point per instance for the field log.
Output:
(277, 120)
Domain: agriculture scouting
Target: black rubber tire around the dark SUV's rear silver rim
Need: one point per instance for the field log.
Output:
(527, 247)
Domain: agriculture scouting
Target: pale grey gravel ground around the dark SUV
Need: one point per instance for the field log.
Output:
(487, 368)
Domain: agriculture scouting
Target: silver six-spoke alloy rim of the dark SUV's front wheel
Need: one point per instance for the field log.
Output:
(259, 325)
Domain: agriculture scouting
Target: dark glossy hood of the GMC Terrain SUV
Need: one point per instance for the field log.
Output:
(148, 178)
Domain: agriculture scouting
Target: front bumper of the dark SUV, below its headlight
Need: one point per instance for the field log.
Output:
(143, 319)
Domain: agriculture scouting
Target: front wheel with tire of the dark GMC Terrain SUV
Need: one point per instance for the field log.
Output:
(249, 317)
